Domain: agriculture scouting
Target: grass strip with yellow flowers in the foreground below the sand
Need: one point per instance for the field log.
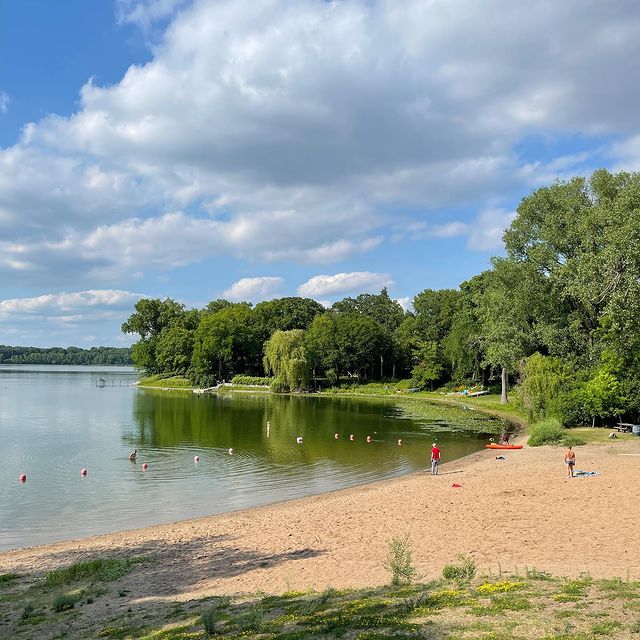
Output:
(461, 608)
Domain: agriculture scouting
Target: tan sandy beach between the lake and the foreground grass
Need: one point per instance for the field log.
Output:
(519, 512)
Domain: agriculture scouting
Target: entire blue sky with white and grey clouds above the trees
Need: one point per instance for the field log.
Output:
(252, 149)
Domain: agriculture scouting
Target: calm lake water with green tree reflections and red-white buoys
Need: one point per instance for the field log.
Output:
(55, 420)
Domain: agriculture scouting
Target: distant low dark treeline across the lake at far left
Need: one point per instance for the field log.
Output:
(70, 355)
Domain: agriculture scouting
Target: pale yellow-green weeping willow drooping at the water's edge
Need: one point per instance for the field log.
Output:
(285, 357)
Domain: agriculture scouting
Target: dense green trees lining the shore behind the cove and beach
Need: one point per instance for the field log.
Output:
(558, 315)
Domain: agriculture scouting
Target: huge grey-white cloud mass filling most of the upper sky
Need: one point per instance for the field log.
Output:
(296, 130)
